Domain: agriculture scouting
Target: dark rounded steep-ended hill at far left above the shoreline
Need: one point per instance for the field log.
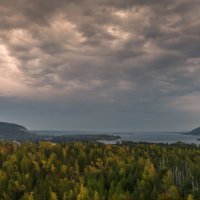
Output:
(12, 130)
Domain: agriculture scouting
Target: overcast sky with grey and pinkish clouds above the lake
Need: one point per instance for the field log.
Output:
(108, 65)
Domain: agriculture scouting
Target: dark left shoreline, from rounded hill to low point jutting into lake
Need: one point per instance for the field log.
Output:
(15, 132)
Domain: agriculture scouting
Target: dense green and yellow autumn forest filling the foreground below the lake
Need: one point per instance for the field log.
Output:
(84, 171)
